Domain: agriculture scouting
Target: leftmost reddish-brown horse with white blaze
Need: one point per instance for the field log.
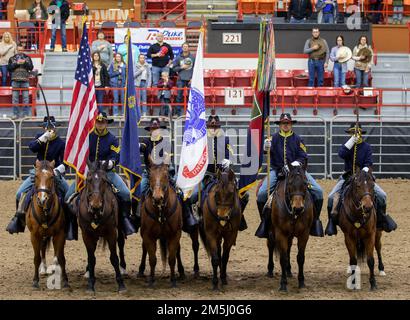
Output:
(45, 219)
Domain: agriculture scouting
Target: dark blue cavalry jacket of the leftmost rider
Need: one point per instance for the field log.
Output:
(51, 150)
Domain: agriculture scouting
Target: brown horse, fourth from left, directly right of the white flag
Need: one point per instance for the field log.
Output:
(221, 212)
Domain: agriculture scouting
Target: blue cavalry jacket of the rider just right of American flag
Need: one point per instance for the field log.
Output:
(104, 147)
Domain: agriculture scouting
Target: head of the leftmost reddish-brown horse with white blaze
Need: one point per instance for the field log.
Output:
(44, 182)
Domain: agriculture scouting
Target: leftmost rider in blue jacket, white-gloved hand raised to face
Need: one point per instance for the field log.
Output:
(48, 146)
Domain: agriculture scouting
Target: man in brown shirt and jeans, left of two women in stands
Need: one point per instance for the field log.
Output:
(318, 51)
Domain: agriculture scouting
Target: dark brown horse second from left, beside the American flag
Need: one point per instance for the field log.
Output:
(98, 218)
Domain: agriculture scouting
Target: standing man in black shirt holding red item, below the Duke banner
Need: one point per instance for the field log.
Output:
(161, 55)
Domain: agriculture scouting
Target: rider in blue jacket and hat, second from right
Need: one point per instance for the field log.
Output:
(286, 149)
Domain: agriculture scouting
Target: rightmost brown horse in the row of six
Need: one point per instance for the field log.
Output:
(357, 219)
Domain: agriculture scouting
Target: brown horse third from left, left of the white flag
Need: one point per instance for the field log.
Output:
(161, 219)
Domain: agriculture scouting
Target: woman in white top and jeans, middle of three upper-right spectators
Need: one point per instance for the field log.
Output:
(340, 55)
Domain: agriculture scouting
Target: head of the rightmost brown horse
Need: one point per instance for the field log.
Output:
(363, 189)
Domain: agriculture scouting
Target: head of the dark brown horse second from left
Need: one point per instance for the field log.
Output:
(96, 184)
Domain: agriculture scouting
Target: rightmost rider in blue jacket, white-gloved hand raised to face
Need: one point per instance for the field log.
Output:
(364, 162)
